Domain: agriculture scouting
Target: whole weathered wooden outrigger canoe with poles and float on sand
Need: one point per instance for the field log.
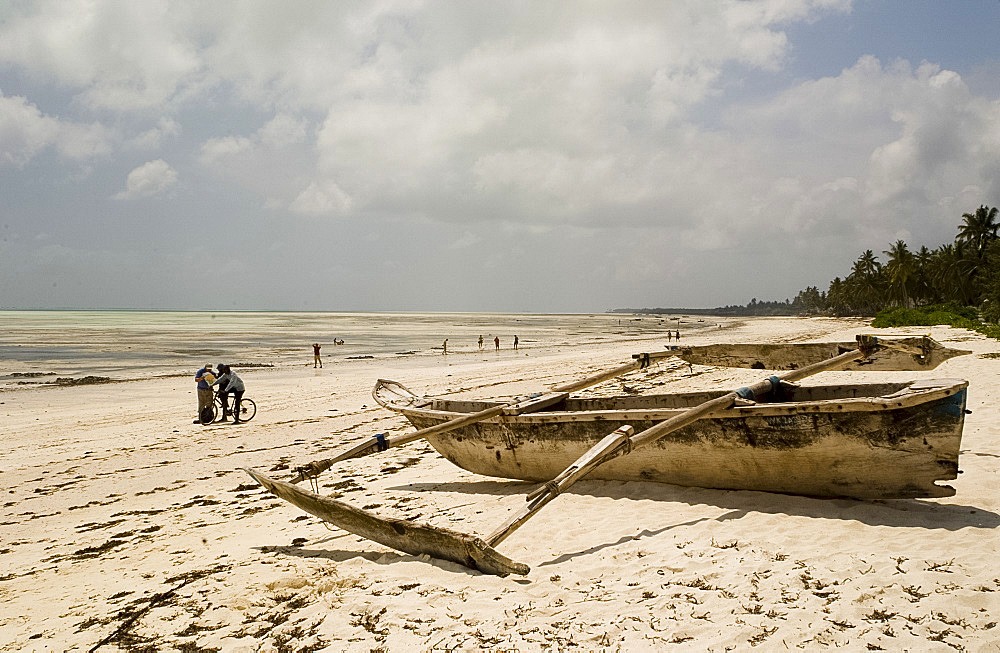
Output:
(890, 440)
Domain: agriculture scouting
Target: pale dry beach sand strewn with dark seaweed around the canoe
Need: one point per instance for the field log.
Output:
(127, 527)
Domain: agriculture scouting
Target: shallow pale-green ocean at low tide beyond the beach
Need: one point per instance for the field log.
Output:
(41, 346)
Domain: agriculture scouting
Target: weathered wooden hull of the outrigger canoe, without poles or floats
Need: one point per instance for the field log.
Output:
(872, 441)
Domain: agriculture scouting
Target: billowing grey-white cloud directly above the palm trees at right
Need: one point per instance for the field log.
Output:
(905, 137)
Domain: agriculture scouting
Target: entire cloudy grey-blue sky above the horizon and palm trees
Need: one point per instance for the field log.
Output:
(480, 155)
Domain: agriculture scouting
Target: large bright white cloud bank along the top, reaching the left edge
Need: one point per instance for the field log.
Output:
(422, 102)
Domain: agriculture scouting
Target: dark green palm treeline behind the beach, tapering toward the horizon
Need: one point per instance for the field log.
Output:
(963, 273)
